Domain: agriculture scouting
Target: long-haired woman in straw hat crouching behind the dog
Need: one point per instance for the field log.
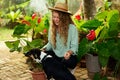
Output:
(62, 36)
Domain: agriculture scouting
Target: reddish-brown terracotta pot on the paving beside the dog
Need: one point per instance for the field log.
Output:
(39, 75)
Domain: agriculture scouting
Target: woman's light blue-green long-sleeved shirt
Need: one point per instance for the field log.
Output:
(72, 42)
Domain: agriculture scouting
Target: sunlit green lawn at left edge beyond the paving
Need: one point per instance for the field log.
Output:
(5, 34)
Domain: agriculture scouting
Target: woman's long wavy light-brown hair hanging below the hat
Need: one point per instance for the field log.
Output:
(62, 28)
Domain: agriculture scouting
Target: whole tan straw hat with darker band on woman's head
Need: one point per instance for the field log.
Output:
(61, 7)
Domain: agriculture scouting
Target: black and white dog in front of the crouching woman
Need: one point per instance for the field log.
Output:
(52, 67)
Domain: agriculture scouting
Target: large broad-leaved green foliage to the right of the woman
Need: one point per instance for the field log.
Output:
(106, 26)
